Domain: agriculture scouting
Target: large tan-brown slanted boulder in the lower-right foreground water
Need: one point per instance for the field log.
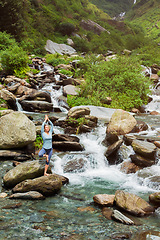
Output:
(132, 203)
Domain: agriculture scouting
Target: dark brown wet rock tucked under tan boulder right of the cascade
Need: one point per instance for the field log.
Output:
(141, 162)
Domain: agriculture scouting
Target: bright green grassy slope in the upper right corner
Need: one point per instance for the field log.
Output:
(146, 13)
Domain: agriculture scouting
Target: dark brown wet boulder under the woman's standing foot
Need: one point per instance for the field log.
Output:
(46, 185)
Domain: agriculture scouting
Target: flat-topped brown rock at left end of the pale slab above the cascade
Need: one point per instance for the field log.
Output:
(78, 112)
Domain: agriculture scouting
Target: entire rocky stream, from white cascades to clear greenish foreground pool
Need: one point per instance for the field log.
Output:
(72, 212)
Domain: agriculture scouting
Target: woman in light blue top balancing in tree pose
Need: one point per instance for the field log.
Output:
(47, 142)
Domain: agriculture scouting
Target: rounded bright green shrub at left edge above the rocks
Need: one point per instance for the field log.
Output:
(14, 59)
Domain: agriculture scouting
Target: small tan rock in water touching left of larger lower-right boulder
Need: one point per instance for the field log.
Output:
(104, 199)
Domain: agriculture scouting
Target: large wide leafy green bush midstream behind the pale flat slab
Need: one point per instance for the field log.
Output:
(121, 79)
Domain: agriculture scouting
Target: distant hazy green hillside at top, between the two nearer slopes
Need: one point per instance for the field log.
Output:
(113, 7)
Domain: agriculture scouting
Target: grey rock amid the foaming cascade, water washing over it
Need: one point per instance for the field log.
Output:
(74, 165)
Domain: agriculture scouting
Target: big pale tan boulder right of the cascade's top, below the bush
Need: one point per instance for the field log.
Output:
(121, 122)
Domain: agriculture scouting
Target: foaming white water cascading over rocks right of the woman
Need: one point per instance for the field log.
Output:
(96, 166)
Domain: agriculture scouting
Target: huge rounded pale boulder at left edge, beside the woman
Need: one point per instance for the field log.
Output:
(16, 131)
